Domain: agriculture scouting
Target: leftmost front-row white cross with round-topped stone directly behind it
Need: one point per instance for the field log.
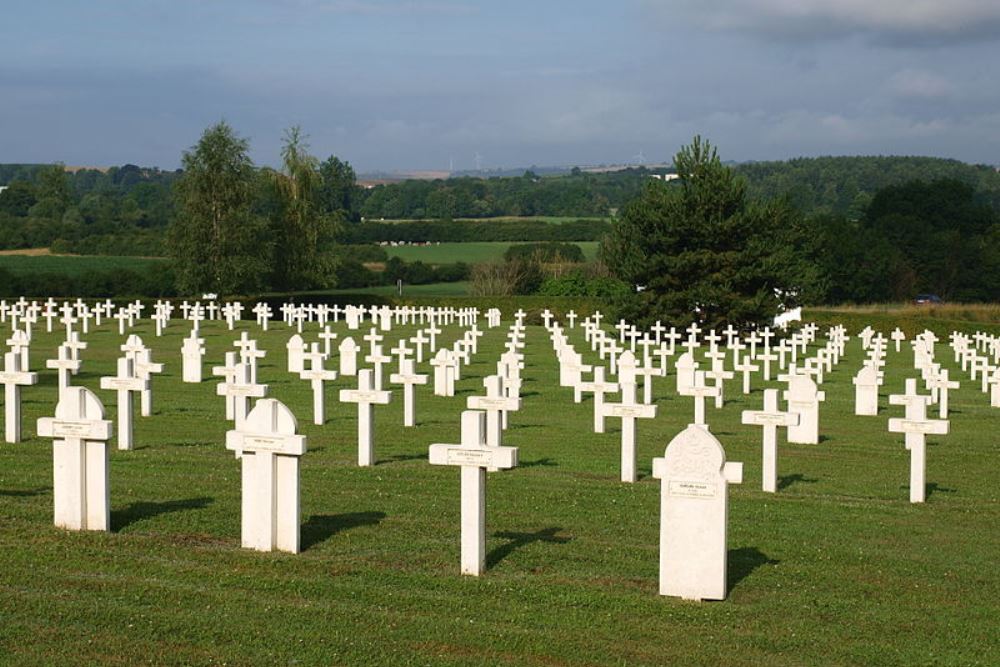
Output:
(80, 487)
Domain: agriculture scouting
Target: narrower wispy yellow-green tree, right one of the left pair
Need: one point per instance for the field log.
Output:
(300, 228)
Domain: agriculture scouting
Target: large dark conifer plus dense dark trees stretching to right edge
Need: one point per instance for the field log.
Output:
(705, 249)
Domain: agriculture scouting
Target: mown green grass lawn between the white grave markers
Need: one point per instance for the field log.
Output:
(838, 567)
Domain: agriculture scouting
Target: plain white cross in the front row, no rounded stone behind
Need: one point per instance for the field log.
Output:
(474, 457)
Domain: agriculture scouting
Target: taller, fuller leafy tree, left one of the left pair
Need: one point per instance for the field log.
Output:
(216, 240)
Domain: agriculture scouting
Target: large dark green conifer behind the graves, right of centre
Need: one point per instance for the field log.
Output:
(702, 251)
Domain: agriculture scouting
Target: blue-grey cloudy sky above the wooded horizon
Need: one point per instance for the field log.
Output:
(428, 84)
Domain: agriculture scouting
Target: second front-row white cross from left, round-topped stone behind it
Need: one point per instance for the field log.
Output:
(270, 451)
